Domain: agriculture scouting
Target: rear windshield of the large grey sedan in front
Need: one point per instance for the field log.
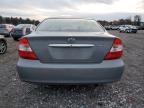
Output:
(70, 25)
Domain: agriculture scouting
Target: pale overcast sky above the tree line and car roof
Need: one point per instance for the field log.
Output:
(98, 9)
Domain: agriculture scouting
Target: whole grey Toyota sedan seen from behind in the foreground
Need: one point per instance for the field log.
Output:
(70, 51)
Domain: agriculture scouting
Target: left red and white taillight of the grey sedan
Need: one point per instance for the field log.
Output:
(25, 50)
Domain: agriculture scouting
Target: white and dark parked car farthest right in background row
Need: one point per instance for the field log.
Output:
(128, 29)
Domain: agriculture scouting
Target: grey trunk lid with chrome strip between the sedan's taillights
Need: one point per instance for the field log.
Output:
(71, 47)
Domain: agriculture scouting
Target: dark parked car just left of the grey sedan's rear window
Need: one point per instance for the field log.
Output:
(21, 30)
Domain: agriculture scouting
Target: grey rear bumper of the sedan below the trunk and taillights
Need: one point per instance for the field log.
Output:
(34, 71)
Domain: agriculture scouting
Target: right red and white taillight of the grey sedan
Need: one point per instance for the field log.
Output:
(116, 51)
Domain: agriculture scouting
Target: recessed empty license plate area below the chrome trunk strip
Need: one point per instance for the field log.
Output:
(71, 53)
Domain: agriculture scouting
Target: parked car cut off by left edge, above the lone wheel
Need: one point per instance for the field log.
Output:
(6, 29)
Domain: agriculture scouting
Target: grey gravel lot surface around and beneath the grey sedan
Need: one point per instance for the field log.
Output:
(127, 93)
